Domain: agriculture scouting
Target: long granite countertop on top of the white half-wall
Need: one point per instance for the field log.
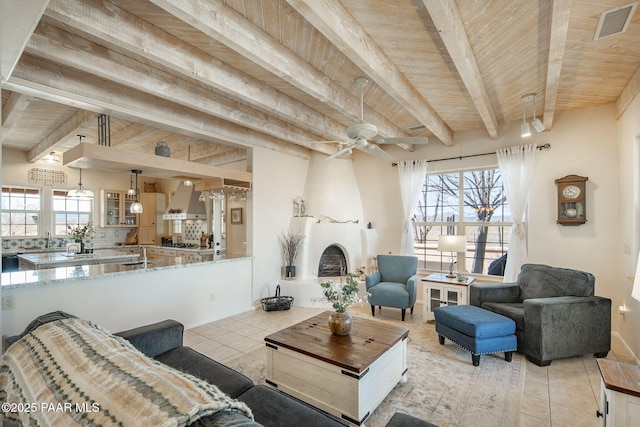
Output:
(34, 278)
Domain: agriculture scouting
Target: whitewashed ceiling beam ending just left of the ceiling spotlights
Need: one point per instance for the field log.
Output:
(446, 16)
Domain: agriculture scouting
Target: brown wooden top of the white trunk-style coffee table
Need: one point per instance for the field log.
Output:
(369, 339)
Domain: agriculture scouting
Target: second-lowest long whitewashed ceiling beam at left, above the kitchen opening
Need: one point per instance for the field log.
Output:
(61, 47)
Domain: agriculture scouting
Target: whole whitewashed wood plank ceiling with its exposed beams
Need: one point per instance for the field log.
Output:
(213, 78)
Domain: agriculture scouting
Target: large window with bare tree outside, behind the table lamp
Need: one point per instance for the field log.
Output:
(472, 203)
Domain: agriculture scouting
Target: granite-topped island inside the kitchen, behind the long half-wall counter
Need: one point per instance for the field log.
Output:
(39, 261)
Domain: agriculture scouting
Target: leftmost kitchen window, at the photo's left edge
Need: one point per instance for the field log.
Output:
(20, 212)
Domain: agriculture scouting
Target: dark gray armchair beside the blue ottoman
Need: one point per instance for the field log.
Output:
(555, 310)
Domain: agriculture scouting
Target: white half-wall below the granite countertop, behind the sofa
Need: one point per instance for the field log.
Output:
(126, 301)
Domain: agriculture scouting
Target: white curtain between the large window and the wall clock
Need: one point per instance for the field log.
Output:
(517, 165)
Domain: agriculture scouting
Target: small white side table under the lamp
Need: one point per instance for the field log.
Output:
(439, 290)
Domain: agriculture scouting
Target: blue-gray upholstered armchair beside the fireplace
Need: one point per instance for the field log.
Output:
(395, 284)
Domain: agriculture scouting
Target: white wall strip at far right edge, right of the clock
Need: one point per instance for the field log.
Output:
(629, 219)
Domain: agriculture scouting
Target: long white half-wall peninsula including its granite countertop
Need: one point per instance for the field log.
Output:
(194, 290)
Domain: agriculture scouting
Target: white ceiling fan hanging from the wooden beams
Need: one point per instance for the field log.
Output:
(362, 135)
